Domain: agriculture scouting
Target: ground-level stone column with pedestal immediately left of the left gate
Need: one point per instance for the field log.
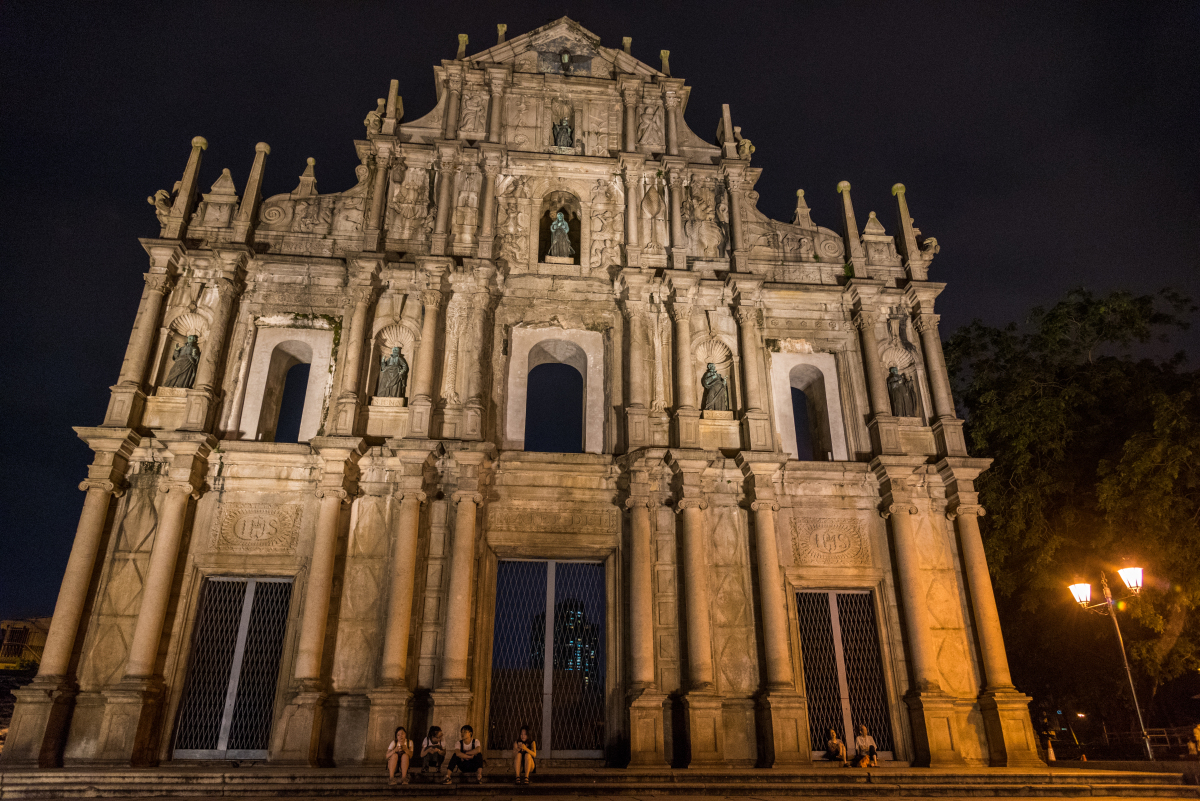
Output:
(133, 706)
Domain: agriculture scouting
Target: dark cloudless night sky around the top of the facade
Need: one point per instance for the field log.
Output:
(1046, 148)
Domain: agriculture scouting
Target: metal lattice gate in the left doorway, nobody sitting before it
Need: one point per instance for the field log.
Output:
(230, 696)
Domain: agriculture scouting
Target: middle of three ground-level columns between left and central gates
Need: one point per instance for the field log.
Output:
(391, 700)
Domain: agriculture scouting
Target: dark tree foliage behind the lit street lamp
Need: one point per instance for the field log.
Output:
(1096, 467)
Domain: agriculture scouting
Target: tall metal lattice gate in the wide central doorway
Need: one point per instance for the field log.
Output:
(557, 609)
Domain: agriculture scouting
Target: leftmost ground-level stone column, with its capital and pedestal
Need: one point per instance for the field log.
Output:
(44, 708)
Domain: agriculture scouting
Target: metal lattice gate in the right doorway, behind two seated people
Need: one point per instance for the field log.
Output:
(843, 668)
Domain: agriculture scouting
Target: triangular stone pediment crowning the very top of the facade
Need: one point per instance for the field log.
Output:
(563, 47)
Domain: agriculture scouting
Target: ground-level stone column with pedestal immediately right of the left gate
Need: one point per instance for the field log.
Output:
(298, 734)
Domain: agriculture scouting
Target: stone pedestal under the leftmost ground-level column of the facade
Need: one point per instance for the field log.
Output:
(39, 726)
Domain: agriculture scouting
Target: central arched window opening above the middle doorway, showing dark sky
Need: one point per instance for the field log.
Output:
(555, 409)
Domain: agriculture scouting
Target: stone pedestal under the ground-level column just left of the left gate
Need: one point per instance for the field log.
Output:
(129, 724)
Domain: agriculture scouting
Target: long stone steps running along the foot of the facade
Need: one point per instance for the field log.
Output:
(274, 782)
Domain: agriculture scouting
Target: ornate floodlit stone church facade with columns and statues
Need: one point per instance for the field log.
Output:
(759, 574)
